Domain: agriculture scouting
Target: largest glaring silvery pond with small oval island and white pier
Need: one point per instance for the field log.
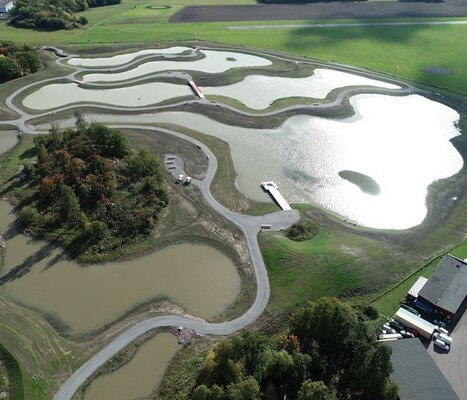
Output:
(391, 140)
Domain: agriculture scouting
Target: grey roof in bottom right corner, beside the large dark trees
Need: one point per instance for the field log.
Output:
(416, 374)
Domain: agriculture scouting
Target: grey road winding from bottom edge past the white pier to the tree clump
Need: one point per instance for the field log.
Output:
(250, 227)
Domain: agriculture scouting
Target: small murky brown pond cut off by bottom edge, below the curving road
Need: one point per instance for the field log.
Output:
(137, 378)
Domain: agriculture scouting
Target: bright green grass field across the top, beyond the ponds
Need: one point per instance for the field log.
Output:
(401, 51)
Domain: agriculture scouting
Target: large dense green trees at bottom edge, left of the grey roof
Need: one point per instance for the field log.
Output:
(328, 352)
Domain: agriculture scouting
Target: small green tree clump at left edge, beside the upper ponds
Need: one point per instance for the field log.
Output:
(17, 61)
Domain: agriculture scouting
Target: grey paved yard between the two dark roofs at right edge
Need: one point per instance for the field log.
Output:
(453, 364)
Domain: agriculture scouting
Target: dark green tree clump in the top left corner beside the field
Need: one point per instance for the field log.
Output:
(53, 14)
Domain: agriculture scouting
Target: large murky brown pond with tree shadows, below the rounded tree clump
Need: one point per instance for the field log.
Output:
(200, 279)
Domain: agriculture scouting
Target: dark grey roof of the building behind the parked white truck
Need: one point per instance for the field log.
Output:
(447, 288)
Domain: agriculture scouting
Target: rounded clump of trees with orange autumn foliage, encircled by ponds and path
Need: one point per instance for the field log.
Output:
(90, 190)
